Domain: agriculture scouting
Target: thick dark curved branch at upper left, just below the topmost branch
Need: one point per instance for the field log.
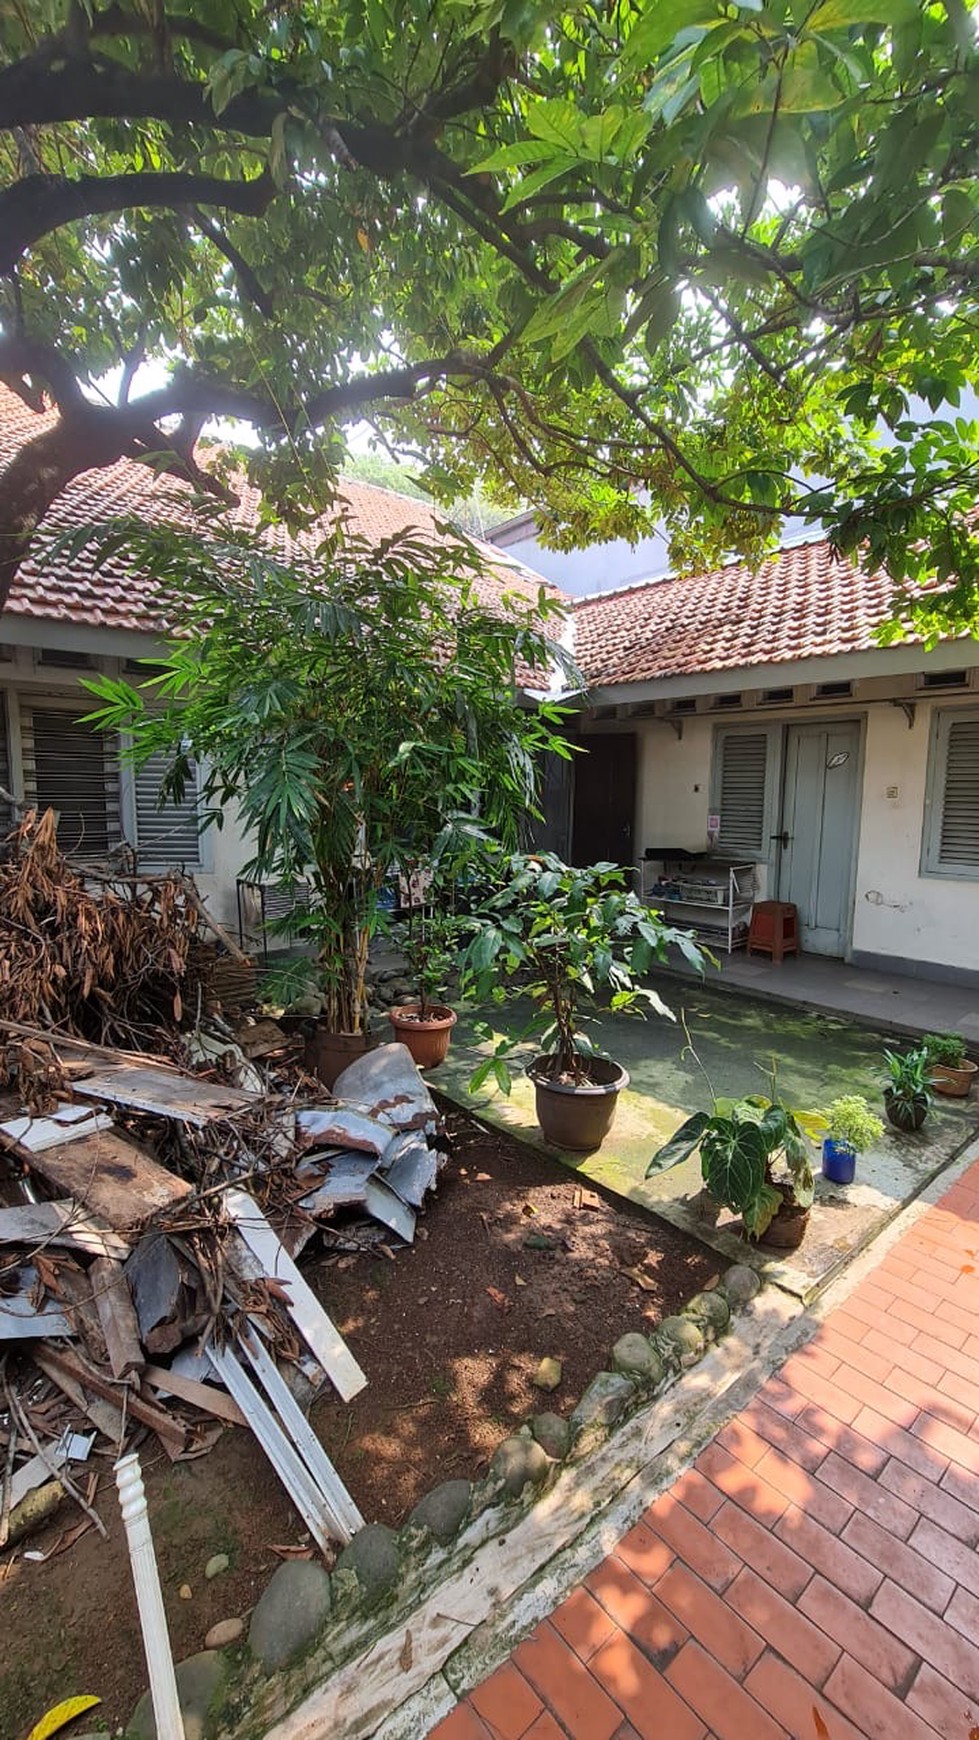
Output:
(39, 204)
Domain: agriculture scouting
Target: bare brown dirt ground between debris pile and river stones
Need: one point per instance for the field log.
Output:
(519, 1262)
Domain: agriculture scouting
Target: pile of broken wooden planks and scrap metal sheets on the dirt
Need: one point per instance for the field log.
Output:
(150, 1222)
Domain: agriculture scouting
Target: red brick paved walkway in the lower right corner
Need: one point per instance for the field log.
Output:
(816, 1572)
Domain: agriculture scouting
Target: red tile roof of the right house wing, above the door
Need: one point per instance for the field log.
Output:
(803, 603)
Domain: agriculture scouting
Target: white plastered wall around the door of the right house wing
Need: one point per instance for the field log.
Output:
(900, 916)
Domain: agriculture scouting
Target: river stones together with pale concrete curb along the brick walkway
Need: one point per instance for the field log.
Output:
(345, 1654)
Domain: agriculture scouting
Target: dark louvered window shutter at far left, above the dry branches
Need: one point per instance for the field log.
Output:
(74, 770)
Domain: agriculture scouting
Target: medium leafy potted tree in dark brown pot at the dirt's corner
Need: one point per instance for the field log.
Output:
(575, 942)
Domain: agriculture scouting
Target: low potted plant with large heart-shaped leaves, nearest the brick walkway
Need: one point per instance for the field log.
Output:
(756, 1160)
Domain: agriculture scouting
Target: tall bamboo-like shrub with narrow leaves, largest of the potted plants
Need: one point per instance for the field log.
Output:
(357, 707)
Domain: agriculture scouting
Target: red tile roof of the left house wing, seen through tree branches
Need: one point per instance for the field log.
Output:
(117, 596)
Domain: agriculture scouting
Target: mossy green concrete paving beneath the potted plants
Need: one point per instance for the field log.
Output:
(736, 1040)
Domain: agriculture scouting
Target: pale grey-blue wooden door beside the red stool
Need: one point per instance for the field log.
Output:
(818, 831)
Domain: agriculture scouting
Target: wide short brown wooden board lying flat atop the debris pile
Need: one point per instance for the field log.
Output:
(112, 1177)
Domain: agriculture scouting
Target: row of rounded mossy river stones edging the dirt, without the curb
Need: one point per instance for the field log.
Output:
(385, 1576)
